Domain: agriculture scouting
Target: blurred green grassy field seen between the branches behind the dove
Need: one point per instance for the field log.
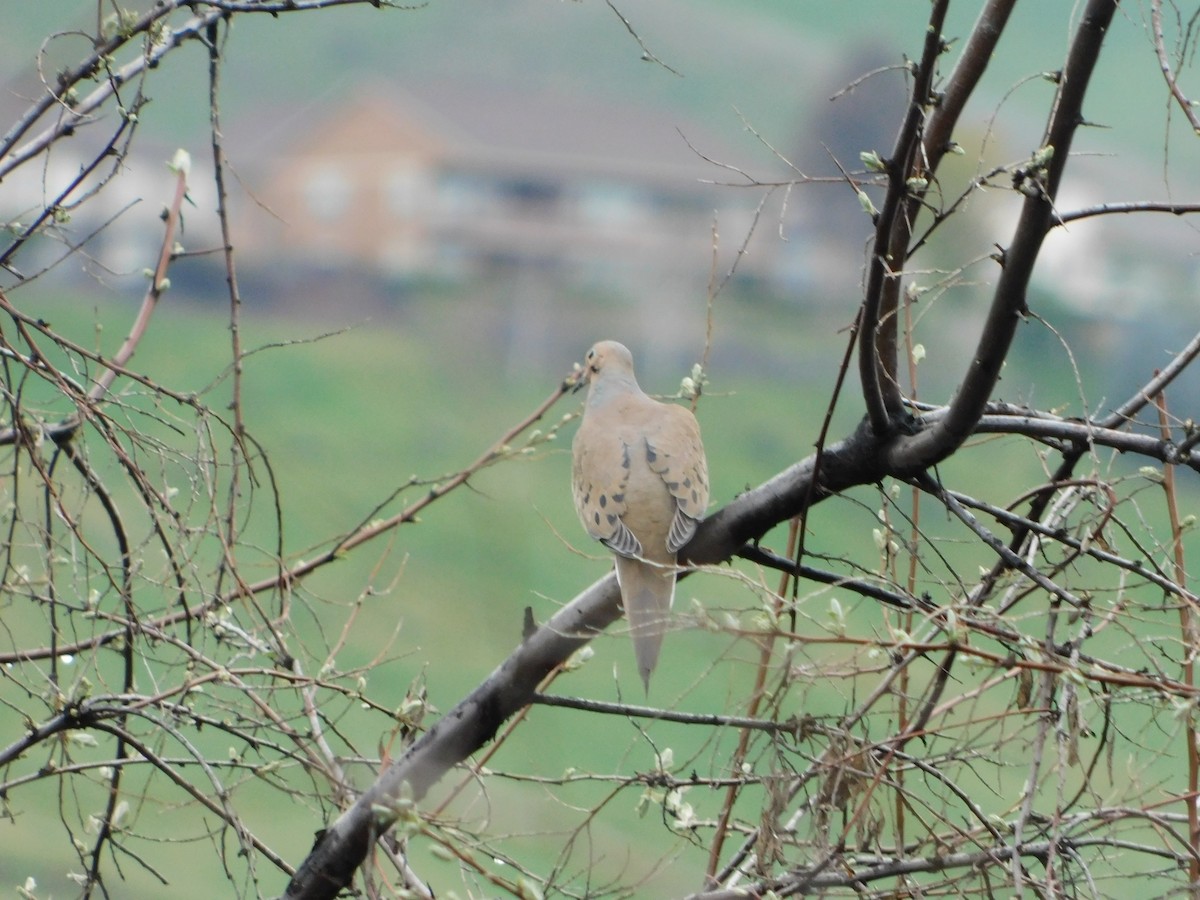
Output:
(349, 419)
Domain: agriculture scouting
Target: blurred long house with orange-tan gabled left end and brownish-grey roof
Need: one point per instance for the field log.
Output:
(453, 181)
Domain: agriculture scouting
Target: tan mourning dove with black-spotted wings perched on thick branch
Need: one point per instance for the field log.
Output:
(641, 488)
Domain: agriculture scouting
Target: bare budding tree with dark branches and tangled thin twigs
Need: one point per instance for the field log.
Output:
(1017, 681)
